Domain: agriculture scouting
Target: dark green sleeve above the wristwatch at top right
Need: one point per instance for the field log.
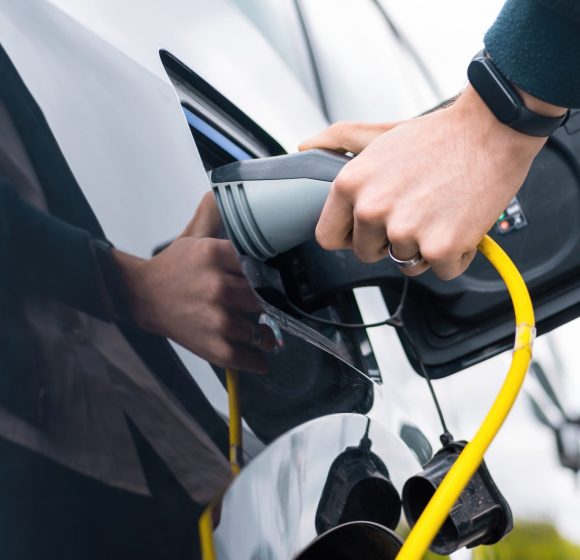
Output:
(536, 45)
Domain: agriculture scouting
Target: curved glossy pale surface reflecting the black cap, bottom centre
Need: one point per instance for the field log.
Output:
(269, 511)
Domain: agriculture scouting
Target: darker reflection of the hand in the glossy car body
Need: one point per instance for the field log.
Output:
(195, 293)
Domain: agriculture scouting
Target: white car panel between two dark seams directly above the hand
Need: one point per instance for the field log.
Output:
(365, 73)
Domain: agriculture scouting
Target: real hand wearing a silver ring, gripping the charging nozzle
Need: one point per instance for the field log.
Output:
(435, 185)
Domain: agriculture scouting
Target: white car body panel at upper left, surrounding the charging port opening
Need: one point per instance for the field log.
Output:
(94, 68)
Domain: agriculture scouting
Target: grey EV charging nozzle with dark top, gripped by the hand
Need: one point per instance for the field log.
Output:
(271, 205)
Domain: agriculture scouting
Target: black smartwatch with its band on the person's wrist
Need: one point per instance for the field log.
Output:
(504, 101)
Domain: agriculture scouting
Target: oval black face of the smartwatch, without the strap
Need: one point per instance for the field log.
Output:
(494, 90)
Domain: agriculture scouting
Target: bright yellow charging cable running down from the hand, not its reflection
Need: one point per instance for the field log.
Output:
(468, 462)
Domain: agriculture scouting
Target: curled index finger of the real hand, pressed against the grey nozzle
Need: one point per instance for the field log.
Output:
(334, 229)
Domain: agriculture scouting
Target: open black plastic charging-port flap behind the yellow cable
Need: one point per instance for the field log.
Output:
(459, 323)
